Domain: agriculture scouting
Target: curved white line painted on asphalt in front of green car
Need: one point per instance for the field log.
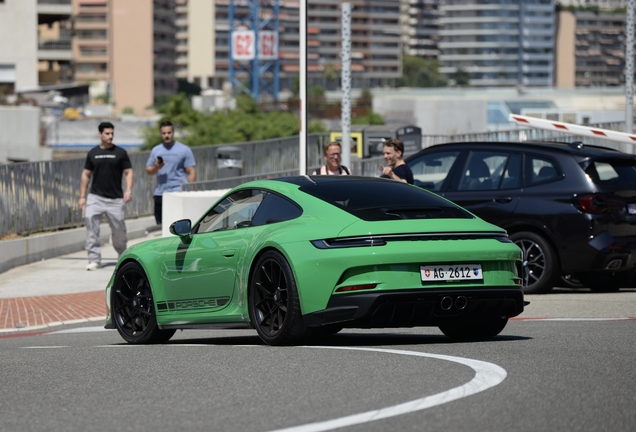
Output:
(487, 375)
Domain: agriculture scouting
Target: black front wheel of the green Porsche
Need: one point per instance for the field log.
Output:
(133, 309)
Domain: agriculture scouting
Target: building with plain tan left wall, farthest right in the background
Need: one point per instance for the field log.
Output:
(591, 49)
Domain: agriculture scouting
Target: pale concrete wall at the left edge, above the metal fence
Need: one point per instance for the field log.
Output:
(20, 135)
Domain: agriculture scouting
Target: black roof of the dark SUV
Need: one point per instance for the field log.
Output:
(575, 148)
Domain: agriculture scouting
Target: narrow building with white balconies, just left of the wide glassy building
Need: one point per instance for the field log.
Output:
(420, 28)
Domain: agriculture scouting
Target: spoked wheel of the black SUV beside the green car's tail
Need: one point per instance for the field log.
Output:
(539, 262)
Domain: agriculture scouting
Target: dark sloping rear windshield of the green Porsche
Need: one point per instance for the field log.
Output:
(378, 200)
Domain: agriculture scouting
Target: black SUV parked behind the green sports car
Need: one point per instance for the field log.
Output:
(571, 208)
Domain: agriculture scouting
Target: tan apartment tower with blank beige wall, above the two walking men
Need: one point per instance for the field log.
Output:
(130, 45)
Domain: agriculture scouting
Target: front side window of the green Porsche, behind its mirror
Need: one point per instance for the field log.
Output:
(235, 211)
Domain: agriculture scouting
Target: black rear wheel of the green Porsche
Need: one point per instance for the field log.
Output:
(274, 306)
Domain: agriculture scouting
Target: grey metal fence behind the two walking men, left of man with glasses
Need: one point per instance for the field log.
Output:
(41, 196)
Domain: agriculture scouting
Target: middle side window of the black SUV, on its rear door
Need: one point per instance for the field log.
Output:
(484, 170)
